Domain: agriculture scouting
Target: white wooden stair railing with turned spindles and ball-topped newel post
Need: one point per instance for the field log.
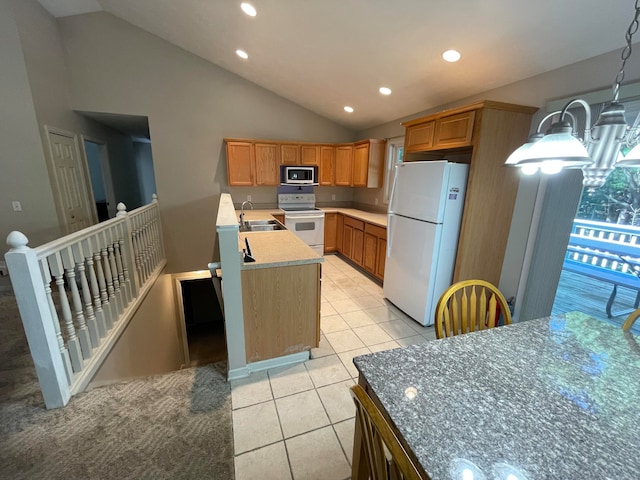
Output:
(77, 294)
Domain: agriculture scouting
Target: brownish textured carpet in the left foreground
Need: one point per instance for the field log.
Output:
(175, 426)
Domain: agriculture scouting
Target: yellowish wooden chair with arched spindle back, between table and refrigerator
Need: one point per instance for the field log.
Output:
(468, 306)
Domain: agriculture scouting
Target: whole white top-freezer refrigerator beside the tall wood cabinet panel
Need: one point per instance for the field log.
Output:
(425, 210)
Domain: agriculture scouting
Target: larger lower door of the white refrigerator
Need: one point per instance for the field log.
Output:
(411, 265)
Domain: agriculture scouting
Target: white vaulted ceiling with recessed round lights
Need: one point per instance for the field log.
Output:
(325, 54)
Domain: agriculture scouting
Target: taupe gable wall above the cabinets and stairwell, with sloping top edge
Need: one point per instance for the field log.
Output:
(192, 105)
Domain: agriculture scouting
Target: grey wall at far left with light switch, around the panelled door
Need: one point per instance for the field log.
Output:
(35, 48)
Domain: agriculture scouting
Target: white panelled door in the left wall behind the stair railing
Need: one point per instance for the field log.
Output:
(69, 183)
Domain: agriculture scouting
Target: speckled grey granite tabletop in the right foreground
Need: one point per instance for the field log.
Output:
(551, 398)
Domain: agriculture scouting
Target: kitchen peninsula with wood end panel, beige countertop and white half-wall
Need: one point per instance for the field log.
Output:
(272, 304)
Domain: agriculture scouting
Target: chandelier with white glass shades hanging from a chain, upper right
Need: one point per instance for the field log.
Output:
(597, 153)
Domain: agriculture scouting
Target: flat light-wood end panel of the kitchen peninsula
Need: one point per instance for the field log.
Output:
(281, 308)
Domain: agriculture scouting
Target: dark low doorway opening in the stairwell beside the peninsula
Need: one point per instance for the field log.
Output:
(204, 322)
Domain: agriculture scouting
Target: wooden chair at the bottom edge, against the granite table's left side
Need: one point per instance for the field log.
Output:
(386, 457)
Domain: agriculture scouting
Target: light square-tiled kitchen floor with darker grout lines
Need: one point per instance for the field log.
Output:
(297, 422)
